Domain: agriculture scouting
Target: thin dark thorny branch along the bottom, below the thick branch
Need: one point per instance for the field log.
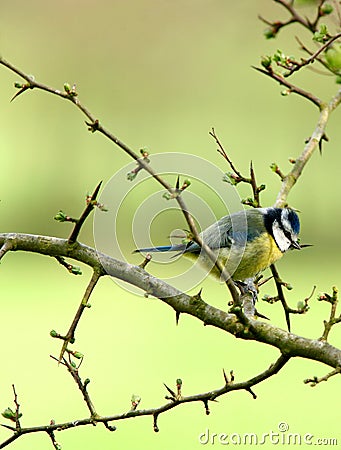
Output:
(175, 400)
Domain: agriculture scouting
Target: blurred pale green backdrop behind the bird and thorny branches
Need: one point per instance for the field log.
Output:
(160, 75)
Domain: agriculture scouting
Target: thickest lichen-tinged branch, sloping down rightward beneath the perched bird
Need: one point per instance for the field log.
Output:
(177, 300)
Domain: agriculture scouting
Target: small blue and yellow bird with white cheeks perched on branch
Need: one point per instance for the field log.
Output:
(246, 242)
